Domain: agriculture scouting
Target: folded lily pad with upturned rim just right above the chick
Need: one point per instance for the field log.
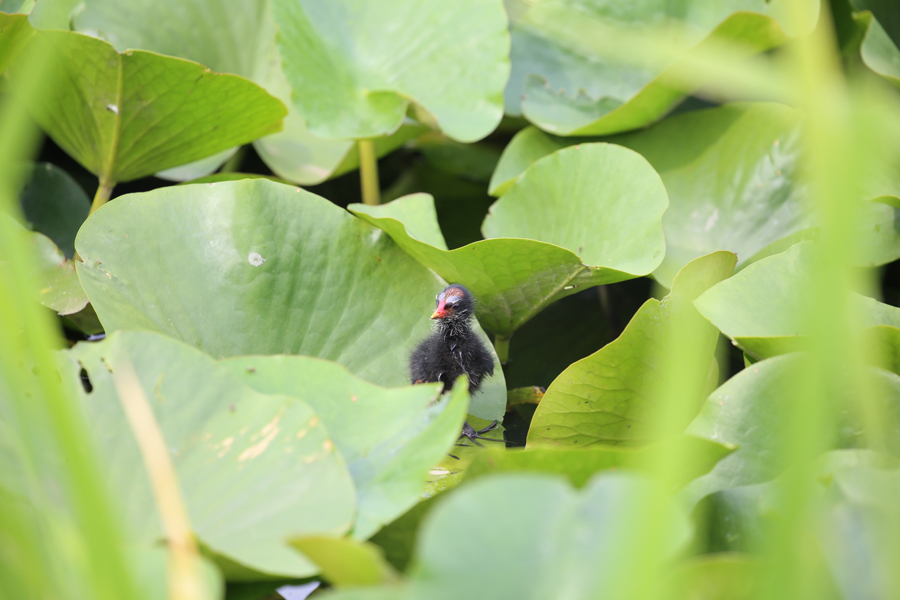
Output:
(612, 220)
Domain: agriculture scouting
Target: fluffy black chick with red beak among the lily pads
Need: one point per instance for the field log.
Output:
(453, 349)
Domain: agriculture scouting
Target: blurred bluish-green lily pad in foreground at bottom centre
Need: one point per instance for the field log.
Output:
(557, 540)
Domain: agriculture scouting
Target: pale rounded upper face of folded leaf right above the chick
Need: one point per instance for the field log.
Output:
(600, 201)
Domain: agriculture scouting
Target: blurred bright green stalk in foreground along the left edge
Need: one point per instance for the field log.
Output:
(85, 534)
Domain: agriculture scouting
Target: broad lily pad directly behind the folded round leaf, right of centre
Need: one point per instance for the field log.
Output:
(733, 178)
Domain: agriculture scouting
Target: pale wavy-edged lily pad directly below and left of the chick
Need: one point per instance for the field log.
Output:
(390, 438)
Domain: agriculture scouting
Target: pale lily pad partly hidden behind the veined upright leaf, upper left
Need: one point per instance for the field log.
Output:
(231, 36)
